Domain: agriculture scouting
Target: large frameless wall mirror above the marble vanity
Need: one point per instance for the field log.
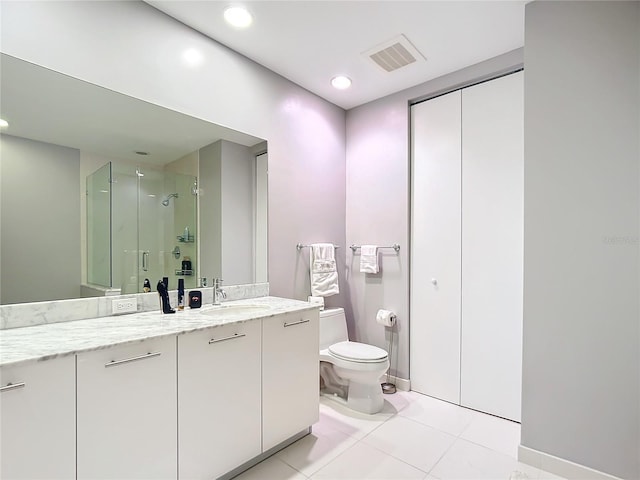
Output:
(100, 191)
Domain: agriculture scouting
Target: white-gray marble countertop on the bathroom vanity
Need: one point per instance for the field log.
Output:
(44, 342)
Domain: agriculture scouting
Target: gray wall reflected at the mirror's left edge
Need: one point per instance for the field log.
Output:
(40, 252)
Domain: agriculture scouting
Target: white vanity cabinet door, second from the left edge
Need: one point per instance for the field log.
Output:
(127, 412)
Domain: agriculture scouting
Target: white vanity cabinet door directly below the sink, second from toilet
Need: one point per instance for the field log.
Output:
(219, 417)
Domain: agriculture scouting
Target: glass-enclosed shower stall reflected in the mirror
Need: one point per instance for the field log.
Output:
(141, 224)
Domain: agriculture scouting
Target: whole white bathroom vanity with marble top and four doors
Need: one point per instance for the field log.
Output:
(198, 394)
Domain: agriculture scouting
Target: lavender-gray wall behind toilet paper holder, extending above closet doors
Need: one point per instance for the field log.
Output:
(377, 207)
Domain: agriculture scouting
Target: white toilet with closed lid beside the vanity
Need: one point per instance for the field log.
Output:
(350, 370)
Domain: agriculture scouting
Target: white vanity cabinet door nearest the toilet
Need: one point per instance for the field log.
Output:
(290, 375)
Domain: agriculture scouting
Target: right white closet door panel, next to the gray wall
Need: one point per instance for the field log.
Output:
(492, 245)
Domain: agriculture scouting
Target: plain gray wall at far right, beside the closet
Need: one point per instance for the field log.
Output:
(581, 361)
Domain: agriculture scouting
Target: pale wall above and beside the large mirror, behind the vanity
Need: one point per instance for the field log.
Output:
(132, 48)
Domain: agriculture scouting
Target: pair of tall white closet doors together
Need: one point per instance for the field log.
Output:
(487, 351)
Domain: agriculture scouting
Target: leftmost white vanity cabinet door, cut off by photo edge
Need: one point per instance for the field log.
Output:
(37, 420)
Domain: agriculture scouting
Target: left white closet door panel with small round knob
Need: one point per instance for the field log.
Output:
(435, 248)
